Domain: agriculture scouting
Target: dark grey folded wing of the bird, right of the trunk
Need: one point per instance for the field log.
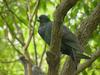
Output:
(69, 39)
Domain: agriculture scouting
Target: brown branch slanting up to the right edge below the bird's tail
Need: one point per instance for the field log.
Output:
(88, 63)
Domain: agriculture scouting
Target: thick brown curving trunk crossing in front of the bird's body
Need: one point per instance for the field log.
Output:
(53, 56)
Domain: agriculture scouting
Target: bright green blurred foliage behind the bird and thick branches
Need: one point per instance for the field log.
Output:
(19, 33)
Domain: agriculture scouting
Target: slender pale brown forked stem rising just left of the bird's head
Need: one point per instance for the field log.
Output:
(31, 33)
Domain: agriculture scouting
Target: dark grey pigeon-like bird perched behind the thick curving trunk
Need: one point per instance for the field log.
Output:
(69, 42)
